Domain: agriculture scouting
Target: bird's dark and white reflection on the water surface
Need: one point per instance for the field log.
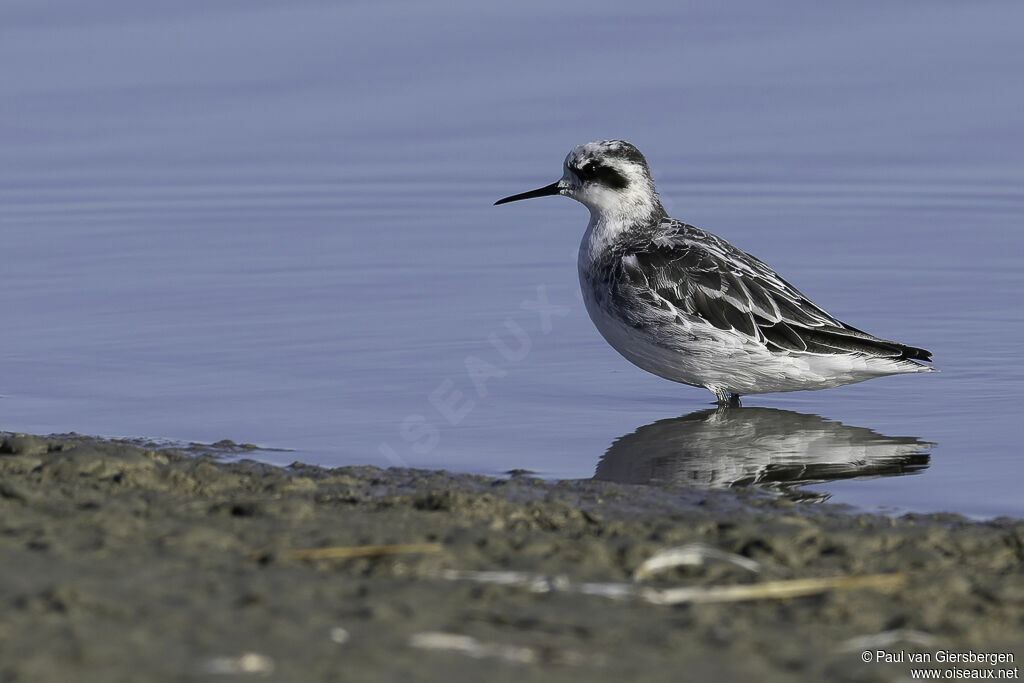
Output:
(758, 447)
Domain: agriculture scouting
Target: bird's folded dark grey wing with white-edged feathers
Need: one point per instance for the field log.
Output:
(703, 276)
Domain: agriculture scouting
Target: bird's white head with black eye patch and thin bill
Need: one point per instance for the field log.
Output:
(611, 179)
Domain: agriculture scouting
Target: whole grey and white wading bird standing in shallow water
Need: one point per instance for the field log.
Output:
(689, 307)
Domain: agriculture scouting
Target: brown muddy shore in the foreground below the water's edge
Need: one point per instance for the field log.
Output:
(123, 563)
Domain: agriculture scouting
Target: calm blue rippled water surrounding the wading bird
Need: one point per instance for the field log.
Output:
(272, 222)
